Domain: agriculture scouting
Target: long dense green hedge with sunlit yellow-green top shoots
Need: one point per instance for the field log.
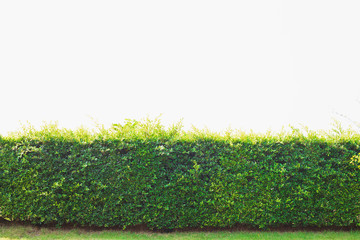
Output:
(142, 173)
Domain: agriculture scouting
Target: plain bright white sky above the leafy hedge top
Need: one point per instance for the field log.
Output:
(256, 64)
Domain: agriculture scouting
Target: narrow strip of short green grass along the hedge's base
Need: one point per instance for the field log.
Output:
(29, 232)
